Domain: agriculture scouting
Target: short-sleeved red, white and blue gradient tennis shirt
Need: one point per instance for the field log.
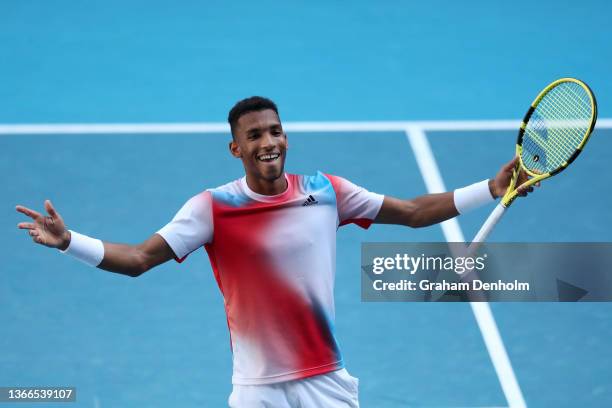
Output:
(274, 259)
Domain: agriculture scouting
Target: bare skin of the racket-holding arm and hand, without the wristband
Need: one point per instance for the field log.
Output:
(434, 208)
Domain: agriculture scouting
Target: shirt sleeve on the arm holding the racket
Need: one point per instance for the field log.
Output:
(355, 204)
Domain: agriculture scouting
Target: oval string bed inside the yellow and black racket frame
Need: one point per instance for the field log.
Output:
(557, 127)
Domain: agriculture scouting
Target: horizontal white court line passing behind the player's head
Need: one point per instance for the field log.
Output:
(174, 128)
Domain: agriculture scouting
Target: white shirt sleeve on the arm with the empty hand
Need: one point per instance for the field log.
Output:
(191, 227)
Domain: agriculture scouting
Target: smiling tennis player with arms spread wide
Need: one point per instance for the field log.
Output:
(271, 240)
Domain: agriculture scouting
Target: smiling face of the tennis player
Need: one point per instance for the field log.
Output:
(260, 142)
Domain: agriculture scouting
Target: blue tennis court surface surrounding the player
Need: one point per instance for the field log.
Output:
(165, 76)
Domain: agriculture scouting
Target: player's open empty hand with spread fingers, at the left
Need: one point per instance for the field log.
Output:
(46, 230)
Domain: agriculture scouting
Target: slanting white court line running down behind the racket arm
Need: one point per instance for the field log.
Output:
(482, 312)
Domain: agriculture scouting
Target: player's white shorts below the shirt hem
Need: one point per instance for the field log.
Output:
(332, 390)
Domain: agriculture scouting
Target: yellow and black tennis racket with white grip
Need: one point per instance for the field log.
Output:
(553, 133)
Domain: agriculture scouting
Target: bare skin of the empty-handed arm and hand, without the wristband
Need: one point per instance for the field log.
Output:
(131, 260)
